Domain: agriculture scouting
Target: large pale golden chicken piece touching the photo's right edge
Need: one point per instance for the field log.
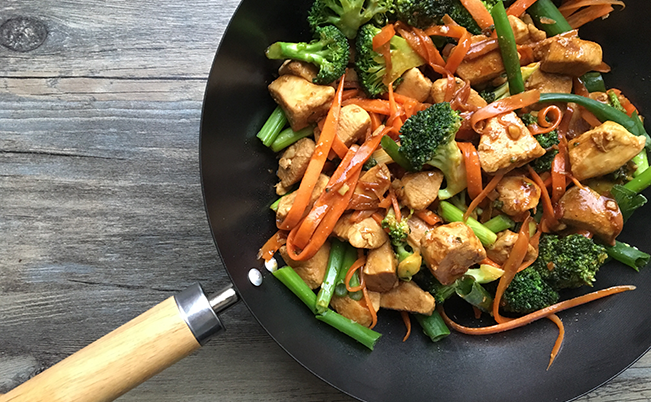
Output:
(602, 150)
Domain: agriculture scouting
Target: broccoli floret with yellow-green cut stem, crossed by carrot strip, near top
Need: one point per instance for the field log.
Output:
(371, 67)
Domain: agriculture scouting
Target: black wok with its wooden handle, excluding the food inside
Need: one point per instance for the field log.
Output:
(602, 338)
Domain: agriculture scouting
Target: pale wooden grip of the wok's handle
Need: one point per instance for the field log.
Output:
(116, 363)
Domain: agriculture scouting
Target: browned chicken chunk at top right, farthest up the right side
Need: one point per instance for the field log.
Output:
(568, 55)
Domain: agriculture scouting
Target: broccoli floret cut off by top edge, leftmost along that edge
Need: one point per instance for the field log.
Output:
(347, 15)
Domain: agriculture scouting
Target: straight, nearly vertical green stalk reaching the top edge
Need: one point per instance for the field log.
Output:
(508, 49)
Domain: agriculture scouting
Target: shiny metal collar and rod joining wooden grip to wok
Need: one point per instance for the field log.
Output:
(200, 313)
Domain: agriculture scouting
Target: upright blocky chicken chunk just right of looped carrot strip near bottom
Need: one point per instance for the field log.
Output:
(380, 269)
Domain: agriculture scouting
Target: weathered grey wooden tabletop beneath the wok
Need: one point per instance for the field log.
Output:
(101, 212)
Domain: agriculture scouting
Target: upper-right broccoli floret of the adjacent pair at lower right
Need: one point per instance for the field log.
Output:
(568, 262)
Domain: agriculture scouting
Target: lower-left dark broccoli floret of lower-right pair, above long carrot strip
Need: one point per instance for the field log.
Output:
(528, 292)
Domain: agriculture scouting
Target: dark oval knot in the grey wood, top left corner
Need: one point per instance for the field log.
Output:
(22, 34)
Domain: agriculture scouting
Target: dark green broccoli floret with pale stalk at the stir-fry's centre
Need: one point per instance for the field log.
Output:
(428, 138)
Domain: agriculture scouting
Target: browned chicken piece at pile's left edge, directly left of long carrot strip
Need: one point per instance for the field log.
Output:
(293, 164)
